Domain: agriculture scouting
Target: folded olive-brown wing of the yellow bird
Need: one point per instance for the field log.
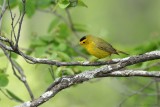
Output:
(103, 45)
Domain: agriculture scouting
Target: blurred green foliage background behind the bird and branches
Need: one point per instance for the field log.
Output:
(132, 26)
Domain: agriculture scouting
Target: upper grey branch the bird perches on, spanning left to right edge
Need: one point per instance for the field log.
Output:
(128, 60)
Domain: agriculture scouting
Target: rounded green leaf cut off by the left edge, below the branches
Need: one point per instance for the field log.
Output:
(3, 80)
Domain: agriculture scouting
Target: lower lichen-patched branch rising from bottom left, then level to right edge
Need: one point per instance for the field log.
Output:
(65, 82)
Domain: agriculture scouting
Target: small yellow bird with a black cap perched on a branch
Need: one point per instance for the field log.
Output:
(98, 47)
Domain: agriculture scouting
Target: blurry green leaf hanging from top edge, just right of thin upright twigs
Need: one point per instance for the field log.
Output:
(30, 7)
